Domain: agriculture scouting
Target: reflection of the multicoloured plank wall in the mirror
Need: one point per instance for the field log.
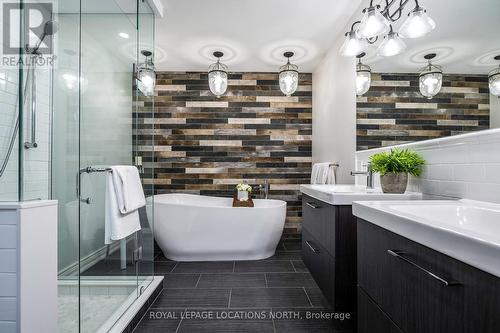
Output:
(393, 111)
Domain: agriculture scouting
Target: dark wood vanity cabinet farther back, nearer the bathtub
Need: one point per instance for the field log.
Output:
(329, 251)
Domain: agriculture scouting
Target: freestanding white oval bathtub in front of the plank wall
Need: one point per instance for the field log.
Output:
(201, 228)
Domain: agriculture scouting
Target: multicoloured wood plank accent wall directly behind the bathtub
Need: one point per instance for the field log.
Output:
(206, 145)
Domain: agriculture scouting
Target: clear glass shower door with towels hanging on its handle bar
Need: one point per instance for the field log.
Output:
(108, 272)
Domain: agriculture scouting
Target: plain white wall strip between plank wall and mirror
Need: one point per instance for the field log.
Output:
(334, 112)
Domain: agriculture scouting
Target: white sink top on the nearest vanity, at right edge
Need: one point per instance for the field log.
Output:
(466, 230)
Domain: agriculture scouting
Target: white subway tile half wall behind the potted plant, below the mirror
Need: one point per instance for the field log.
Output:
(463, 166)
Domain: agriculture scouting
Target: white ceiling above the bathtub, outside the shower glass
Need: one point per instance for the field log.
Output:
(253, 34)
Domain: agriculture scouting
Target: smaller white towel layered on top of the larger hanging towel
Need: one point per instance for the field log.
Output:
(128, 188)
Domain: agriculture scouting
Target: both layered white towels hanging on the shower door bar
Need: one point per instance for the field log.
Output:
(124, 196)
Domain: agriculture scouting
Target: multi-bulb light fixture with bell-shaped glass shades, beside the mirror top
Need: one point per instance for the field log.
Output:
(378, 21)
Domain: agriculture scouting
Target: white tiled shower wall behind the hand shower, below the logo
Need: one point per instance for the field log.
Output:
(36, 161)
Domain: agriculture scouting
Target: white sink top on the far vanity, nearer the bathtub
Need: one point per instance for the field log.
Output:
(345, 194)
